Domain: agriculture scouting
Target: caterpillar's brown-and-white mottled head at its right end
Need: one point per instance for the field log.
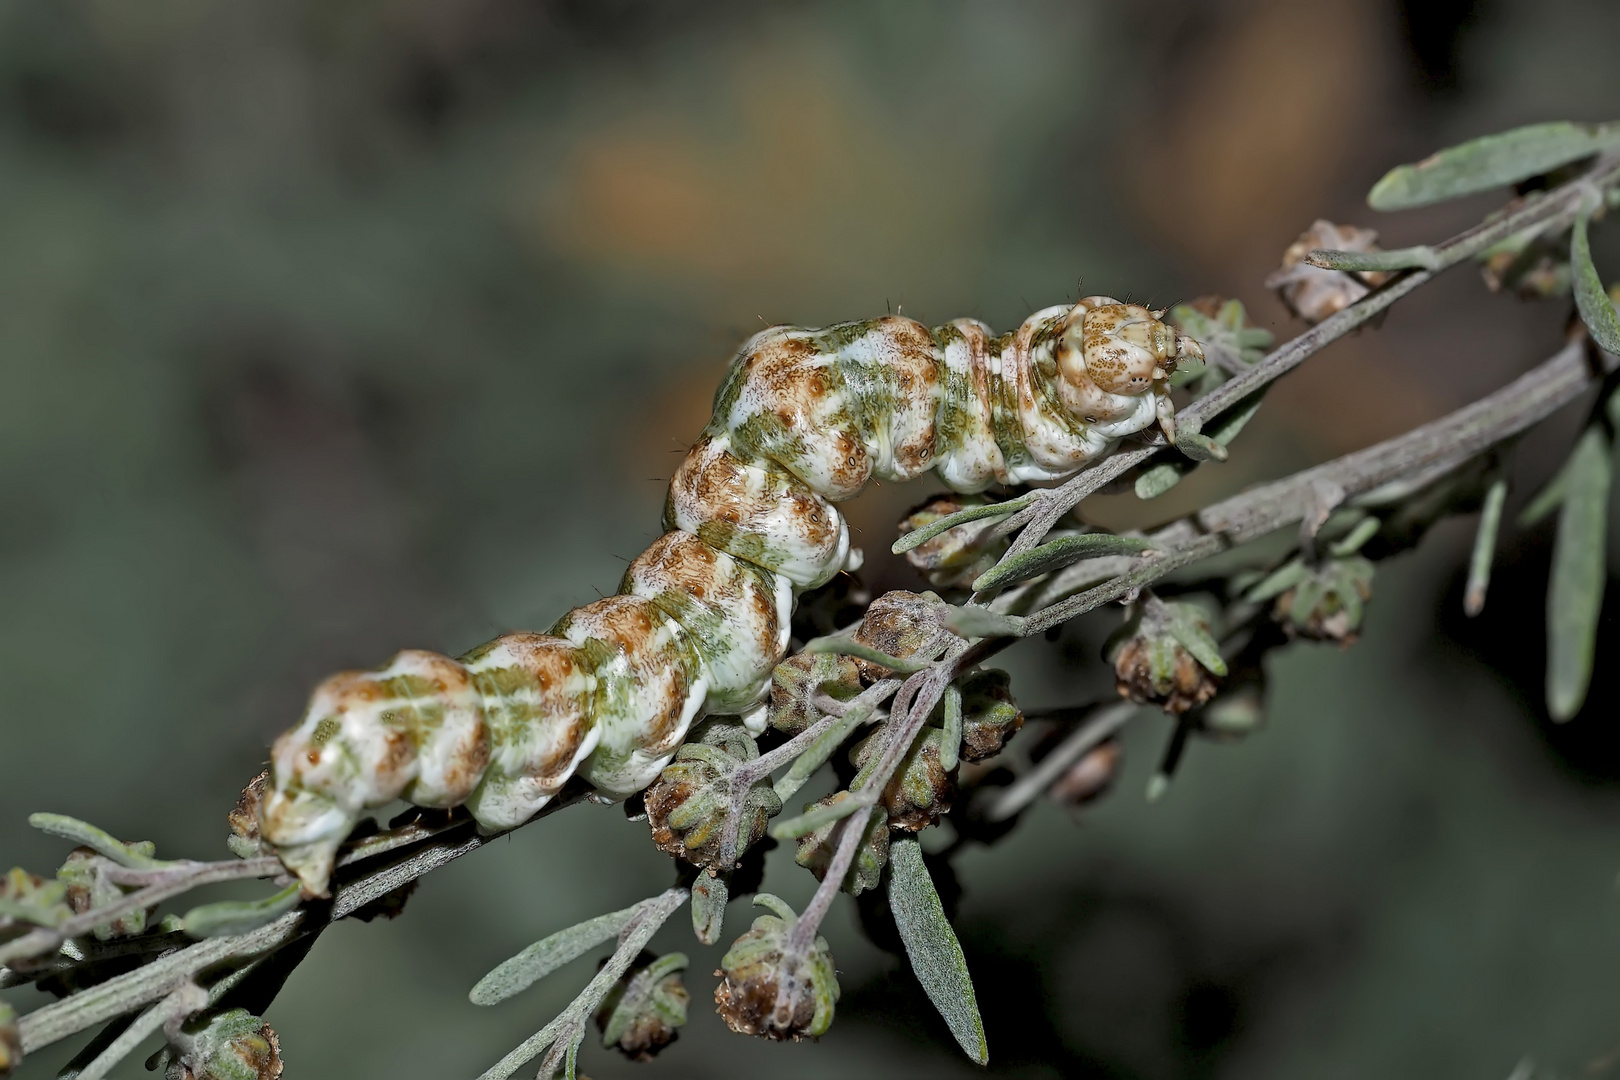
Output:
(1123, 349)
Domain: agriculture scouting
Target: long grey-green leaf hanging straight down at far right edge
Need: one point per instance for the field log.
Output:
(1575, 595)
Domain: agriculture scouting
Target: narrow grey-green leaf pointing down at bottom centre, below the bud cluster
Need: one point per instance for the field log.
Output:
(932, 946)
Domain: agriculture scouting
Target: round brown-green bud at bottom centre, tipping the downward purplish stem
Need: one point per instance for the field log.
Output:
(752, 974)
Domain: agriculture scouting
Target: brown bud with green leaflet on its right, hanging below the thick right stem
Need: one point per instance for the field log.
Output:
(1167, 657)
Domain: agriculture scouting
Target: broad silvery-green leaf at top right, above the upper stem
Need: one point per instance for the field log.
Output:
(1494, 161)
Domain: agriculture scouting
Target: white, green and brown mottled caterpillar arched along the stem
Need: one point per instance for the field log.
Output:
(803, 420)
